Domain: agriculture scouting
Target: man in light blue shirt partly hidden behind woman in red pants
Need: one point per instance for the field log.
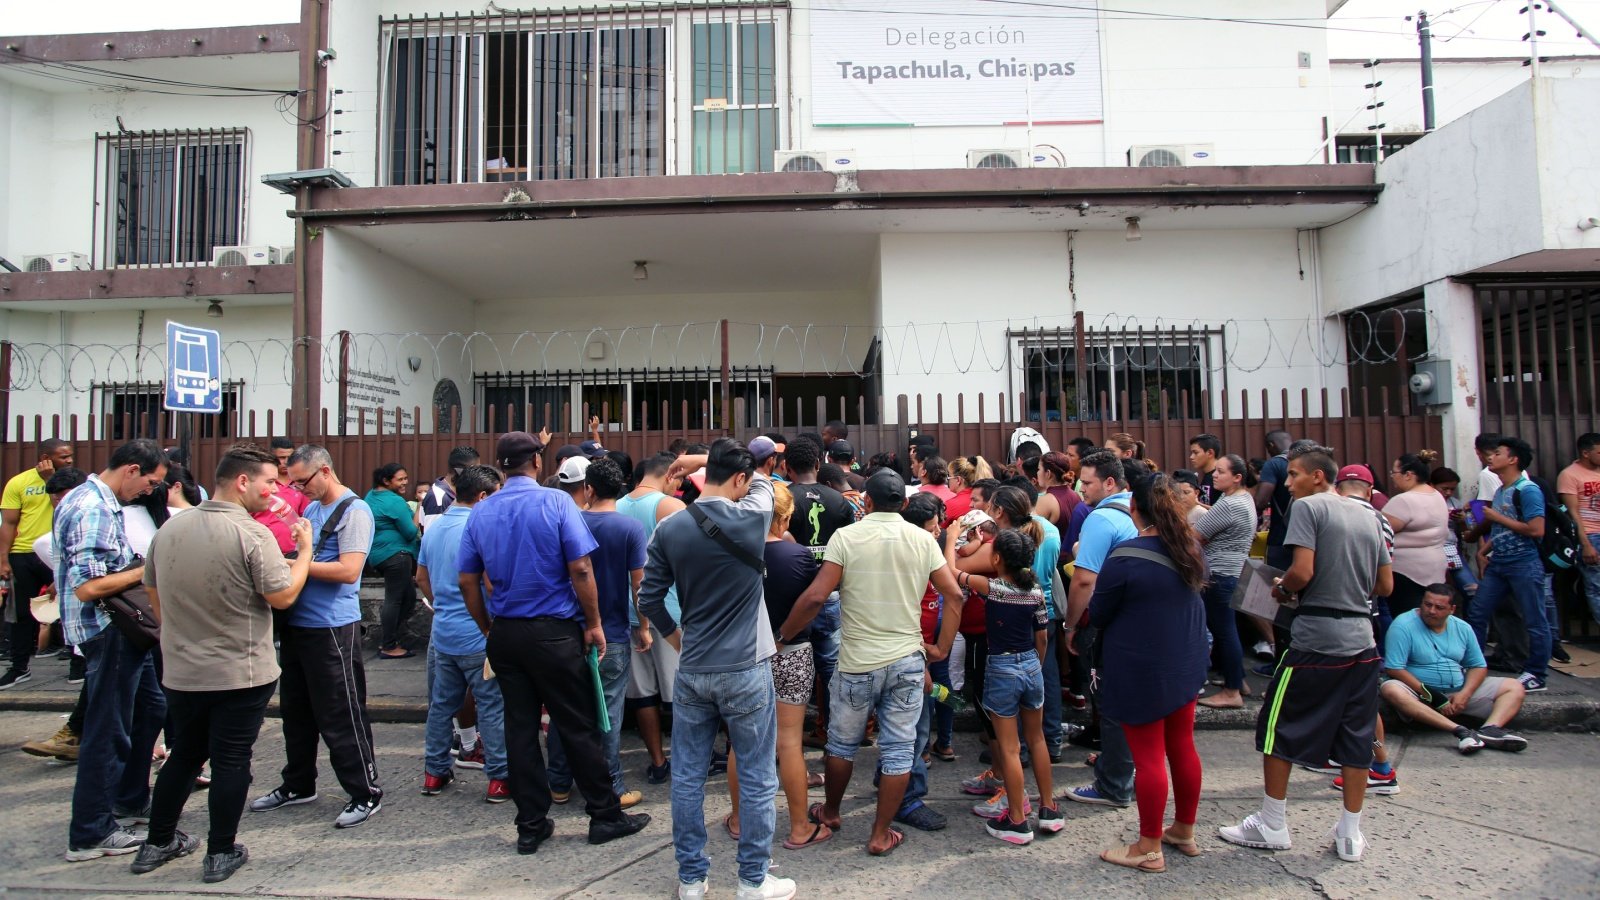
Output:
(1111, 523)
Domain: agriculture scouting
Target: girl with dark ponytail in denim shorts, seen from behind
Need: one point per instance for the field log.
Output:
(1015, 622)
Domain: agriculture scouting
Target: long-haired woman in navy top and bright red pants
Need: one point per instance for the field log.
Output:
(1151, 665)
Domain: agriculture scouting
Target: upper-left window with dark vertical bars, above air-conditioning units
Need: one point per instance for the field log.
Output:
(170, 198)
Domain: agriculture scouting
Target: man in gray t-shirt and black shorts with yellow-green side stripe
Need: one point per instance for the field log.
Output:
(1322, 704)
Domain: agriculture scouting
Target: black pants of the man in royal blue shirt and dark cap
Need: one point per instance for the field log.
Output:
(540, 662)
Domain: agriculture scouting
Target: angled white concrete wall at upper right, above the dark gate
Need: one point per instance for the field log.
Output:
(1463, 198)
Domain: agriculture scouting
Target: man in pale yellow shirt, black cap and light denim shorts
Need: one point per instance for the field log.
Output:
(881, 568)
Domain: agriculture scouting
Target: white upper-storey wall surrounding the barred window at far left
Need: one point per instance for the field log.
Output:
(52, 179)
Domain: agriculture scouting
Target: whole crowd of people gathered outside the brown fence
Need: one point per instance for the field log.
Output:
(737, 587)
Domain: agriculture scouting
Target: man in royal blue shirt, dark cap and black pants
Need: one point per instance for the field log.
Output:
(534, 547)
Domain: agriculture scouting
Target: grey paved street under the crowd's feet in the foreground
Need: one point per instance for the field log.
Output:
(1462, 827)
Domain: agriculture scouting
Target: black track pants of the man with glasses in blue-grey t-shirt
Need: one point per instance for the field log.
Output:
(324, 694)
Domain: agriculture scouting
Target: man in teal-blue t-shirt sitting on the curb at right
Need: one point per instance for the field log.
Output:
(1438, 675)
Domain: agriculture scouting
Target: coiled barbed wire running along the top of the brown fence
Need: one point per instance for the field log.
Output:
(1129, 344)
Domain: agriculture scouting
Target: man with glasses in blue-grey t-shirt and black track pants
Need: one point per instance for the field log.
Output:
(322, 693)
